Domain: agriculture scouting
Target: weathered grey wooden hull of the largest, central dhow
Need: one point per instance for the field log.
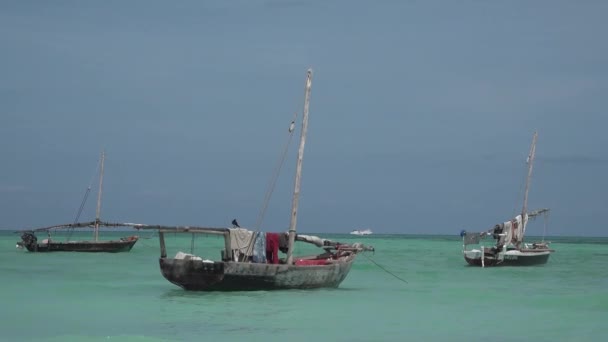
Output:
(196, 275)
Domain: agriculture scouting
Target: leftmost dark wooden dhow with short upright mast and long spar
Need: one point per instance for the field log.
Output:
(29, 240)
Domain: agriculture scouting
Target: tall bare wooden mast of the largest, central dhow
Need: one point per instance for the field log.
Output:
(296, 190)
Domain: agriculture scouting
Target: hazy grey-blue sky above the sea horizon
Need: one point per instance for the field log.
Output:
(421, 114)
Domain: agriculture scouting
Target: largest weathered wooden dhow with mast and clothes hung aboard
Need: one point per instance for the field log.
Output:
(252, 263)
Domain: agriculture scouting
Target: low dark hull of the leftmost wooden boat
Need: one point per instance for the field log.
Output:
(85, 246)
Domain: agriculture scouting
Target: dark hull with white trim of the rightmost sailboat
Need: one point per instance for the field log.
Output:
(511, 258)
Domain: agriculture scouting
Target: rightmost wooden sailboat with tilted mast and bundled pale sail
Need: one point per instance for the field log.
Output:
(510, 248)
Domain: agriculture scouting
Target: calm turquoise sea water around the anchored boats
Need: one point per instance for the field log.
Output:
(123, 297)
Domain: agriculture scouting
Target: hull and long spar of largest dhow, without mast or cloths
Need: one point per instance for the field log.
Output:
(240, 272)
